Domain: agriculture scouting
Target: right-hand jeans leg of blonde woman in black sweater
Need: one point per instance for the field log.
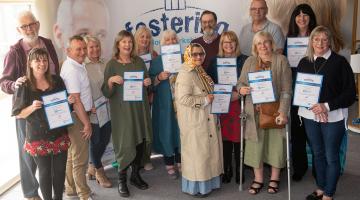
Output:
(333, 134)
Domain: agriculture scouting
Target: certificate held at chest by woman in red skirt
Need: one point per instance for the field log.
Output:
(227, 71)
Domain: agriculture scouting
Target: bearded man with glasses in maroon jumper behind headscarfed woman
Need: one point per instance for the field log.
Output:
(210, 39)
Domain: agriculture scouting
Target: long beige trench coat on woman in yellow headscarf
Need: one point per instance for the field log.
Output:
(201, 143)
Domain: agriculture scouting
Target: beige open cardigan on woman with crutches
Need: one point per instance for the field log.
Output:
(282, 83)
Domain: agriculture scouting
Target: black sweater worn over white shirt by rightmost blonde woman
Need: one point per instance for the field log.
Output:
(338, 87)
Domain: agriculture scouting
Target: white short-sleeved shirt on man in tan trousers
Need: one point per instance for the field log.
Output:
(76, 81)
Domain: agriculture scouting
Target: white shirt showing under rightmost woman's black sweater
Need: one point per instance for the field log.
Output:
(334, 115)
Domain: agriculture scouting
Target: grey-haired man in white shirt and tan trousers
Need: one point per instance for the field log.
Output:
(74, 74)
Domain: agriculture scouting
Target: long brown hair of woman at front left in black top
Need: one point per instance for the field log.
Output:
(34, 54)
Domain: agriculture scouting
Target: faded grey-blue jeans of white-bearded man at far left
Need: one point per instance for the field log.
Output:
(29, 183)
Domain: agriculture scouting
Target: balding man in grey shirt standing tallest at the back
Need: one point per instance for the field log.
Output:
(258, 12)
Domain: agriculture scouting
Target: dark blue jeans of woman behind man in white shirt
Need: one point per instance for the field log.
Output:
(99, 140)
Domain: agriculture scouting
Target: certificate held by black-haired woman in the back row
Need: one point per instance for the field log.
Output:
(296, 49)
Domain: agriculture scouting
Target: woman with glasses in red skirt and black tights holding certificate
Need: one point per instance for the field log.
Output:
(226, 67)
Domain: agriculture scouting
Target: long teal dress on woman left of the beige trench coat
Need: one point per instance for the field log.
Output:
(165, 126)
